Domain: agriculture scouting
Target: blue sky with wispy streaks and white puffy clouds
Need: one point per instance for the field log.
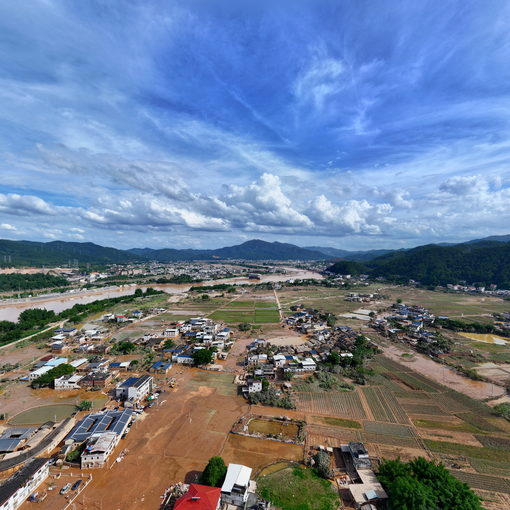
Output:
(355, 124)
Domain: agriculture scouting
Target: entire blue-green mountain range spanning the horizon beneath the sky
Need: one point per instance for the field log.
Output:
(483, 260)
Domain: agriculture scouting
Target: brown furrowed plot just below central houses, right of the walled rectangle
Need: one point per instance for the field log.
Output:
(334, 403)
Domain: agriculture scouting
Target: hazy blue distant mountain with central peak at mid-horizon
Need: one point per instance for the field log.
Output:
(250, 250)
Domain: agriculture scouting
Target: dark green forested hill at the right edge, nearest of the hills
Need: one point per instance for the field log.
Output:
(483, 262)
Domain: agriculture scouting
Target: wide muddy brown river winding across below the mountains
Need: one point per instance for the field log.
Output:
(10, 309)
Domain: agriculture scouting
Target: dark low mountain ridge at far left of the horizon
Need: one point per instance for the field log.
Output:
(56, 253)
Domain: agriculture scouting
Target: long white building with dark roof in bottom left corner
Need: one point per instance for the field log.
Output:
(16, 489)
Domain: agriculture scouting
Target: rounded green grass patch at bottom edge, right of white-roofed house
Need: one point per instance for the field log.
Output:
(298, 489)
